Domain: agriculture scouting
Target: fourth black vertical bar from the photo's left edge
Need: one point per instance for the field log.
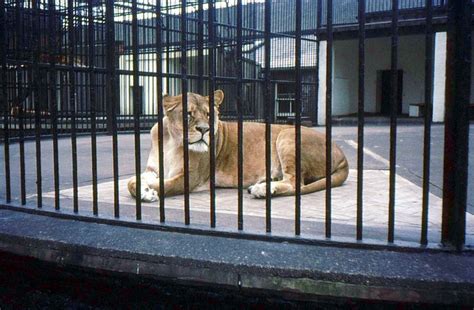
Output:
(52, 95)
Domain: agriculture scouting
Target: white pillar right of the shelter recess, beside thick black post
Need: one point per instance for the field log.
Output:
(439, 81)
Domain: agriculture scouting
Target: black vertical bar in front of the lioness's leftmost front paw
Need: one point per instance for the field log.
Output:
(136, 110)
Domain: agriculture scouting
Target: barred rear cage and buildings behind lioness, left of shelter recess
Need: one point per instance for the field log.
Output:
(67, 45)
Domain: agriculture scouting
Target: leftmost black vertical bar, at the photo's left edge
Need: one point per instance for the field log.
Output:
(4, 99)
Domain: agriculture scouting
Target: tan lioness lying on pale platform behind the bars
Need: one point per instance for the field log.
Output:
(313, 154)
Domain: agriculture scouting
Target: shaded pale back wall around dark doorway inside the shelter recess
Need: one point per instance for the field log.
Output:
(411, 56)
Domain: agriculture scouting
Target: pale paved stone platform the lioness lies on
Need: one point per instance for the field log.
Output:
(407, 212)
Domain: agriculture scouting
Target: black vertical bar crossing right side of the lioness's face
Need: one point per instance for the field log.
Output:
(212, 85)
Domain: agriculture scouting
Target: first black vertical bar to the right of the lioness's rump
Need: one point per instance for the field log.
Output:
(361, 120)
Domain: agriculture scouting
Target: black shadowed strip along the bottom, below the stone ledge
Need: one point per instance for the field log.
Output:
(30, 283)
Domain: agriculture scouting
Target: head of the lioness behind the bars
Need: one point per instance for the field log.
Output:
(198, 118)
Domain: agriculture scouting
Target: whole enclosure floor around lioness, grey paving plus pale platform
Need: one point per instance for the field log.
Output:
(408, 189)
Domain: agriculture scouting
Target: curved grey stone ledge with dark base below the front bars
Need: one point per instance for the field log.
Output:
(102, 265)
